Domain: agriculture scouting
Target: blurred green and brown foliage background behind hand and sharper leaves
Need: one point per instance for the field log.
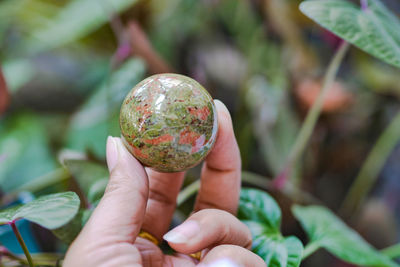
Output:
(69, 64)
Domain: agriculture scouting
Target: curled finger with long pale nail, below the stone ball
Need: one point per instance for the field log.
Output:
(208, 228)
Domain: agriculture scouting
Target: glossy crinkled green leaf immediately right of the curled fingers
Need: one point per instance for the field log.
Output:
(260, 212)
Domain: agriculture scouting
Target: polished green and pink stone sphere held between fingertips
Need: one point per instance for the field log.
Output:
(169, 122)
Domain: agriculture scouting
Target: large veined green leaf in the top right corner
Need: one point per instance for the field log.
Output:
(374, 30)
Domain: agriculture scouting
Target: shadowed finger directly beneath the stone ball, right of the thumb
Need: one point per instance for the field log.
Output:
(163, 191)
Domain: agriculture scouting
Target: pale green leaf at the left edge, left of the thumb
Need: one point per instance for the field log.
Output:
(51, 211)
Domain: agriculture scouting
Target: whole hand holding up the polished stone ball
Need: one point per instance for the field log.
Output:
(142, 199)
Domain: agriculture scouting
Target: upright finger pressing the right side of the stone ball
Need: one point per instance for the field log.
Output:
(220, 182)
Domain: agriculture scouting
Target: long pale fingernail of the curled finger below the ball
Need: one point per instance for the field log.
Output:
(183, 233)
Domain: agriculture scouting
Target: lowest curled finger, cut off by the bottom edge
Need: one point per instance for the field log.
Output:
(232, 256)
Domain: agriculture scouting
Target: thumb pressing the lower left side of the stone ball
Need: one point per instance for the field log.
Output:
(119, 215)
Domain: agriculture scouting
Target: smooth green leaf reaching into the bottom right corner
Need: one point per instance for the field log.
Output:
(326, 230)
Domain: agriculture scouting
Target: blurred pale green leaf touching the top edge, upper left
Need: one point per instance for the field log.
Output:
(76, 20)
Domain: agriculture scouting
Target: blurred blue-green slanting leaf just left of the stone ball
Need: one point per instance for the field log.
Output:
(99, 116)
